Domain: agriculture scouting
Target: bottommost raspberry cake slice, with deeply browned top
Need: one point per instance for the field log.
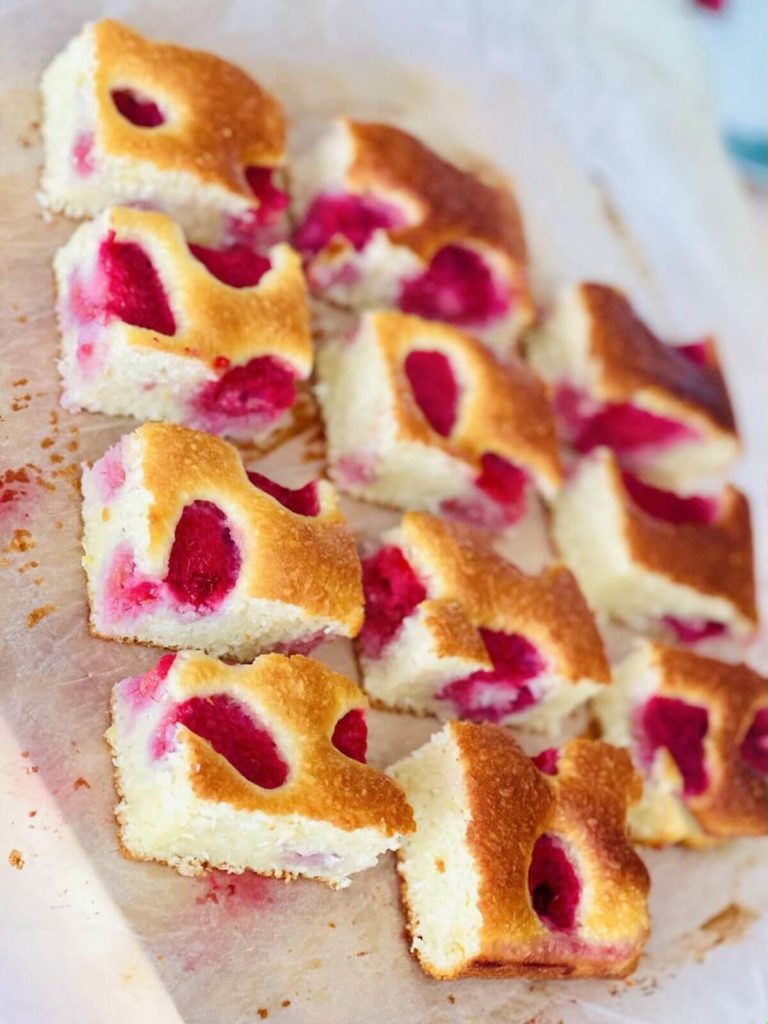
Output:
(521, 868)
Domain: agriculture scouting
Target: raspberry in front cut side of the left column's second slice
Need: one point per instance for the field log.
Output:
(263, 388)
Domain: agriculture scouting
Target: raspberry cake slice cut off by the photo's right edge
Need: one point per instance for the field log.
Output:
(698, 732)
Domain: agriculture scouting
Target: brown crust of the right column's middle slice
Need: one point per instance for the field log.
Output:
(713, 559)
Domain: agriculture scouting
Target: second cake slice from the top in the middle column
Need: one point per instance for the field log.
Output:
(420, 416)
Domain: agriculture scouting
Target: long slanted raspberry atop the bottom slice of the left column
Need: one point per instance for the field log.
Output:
(233, 733)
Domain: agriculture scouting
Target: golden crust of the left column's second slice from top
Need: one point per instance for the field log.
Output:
(215, 320)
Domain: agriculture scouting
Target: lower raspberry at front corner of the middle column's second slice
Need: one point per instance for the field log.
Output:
(501, 498)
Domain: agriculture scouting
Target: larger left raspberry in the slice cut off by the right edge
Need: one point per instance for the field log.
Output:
(680, 729)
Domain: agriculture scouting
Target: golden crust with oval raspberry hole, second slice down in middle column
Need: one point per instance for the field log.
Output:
(504, 408)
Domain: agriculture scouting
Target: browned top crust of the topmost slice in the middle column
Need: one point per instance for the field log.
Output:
(450, 205)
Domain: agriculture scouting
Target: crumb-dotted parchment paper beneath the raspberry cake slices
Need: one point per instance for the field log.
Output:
(601, 113)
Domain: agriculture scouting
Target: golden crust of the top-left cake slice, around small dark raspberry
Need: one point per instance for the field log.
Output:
(221, 120)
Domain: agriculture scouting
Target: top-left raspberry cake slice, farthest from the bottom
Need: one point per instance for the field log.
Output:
(130, 121)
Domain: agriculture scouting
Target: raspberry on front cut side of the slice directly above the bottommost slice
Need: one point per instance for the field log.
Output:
(491, 696)
